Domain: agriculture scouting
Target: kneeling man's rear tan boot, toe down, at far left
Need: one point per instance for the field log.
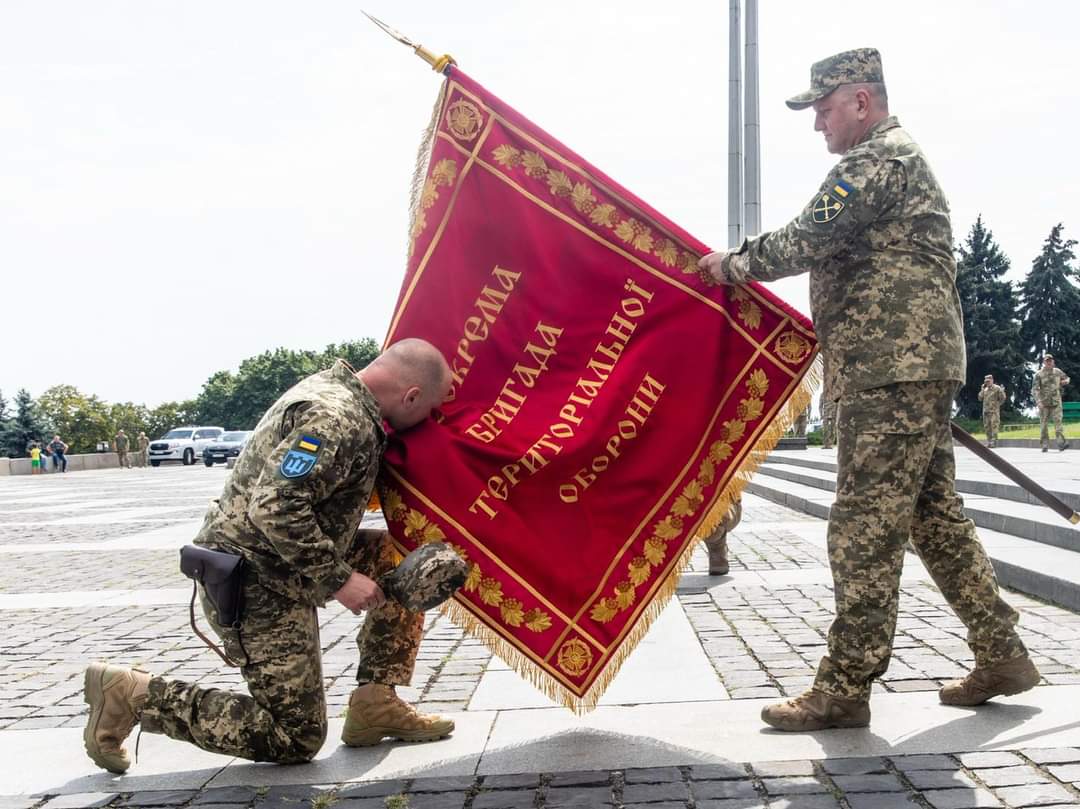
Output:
(116, 697)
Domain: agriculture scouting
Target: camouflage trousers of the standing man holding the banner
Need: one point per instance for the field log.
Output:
(897, 482)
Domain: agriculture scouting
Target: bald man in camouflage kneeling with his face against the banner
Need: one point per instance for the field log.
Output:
(292, 508)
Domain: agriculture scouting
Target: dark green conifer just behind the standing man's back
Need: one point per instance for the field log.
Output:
(991, 323)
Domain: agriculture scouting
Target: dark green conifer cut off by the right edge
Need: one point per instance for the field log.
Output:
(1050, 308)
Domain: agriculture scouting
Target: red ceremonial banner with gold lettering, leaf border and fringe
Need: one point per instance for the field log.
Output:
(607, 407)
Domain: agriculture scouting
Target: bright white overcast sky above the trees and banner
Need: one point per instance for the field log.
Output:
(186, 184)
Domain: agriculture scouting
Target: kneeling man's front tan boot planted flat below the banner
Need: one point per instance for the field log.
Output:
(375, 712)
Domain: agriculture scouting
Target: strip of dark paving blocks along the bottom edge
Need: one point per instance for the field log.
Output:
(1048, 778)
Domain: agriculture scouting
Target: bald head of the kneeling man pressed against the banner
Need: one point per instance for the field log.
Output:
(409, 381)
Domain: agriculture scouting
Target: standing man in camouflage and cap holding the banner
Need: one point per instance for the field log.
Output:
(877, 241)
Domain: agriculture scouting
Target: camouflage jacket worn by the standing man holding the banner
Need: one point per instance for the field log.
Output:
(877, 242)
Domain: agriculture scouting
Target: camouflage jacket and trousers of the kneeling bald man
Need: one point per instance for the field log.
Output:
(292, 508)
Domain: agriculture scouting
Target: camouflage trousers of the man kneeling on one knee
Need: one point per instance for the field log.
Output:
(285, 719)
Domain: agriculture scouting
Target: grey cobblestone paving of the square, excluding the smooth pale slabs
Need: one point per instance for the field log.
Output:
(59, 535)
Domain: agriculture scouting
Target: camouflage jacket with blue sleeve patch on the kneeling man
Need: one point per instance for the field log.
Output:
(294, 502)
